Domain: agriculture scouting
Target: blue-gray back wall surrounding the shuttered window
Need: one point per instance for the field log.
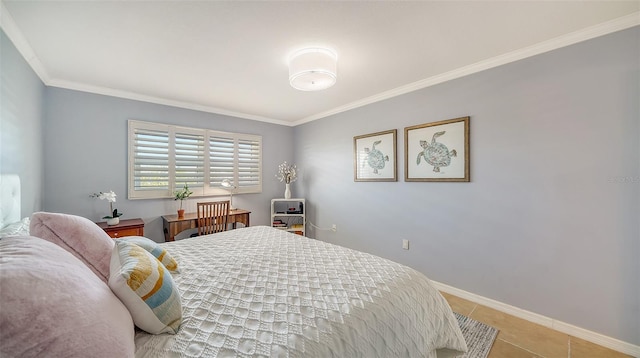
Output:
(86, 152)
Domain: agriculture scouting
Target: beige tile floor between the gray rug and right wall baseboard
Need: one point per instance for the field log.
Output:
(520, 338)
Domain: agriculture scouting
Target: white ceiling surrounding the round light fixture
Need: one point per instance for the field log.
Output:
(229, 57)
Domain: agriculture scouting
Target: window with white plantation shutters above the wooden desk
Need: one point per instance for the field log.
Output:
(163, 158)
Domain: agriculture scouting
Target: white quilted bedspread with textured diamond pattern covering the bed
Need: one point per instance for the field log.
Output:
(260, 291)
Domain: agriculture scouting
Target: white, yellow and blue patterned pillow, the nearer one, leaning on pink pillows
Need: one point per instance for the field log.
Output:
(145, 286)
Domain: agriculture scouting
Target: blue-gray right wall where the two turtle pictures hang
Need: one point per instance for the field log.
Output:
(549, 221)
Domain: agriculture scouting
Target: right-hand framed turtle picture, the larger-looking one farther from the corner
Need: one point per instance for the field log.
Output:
(437, 151)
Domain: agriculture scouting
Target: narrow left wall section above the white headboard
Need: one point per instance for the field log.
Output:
(21, 118)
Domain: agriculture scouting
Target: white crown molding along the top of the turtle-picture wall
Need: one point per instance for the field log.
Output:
(588, 33)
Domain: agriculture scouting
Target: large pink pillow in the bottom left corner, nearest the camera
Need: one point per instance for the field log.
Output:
(54, 306)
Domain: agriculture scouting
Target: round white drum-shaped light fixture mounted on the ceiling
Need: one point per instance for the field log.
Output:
(312, 69)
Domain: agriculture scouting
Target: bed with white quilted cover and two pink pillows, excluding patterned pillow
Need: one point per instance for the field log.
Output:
(250, 292)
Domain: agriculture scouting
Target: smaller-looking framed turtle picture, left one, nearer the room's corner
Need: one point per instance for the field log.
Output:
(374, 157)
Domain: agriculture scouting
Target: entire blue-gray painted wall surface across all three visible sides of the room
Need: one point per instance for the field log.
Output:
(548, 223)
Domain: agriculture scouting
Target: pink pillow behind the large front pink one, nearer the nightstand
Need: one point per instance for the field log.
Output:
(80, 236)
